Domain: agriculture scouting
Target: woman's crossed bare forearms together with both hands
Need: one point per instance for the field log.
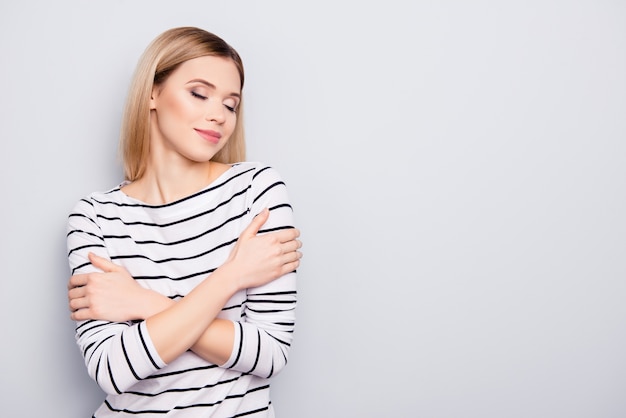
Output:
(113, 295)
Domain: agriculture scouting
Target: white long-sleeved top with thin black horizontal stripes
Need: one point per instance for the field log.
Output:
(171, 248)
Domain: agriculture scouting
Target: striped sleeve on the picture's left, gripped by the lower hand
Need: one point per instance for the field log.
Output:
(117, 354)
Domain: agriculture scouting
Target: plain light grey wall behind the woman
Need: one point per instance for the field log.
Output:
(457, 169)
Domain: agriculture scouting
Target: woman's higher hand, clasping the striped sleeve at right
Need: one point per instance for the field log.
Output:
(258, 259)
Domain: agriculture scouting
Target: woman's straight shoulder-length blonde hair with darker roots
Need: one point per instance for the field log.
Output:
(164, 54)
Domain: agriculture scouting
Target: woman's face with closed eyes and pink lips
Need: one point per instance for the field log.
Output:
(194, 112)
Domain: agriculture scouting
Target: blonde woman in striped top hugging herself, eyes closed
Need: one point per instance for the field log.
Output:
(183, 276)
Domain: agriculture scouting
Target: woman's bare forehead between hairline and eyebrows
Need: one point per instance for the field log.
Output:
(218, 71)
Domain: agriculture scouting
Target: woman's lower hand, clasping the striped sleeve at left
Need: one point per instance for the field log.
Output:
(112, 295)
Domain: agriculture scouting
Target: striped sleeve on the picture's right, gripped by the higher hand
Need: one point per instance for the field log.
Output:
(263, 338)
